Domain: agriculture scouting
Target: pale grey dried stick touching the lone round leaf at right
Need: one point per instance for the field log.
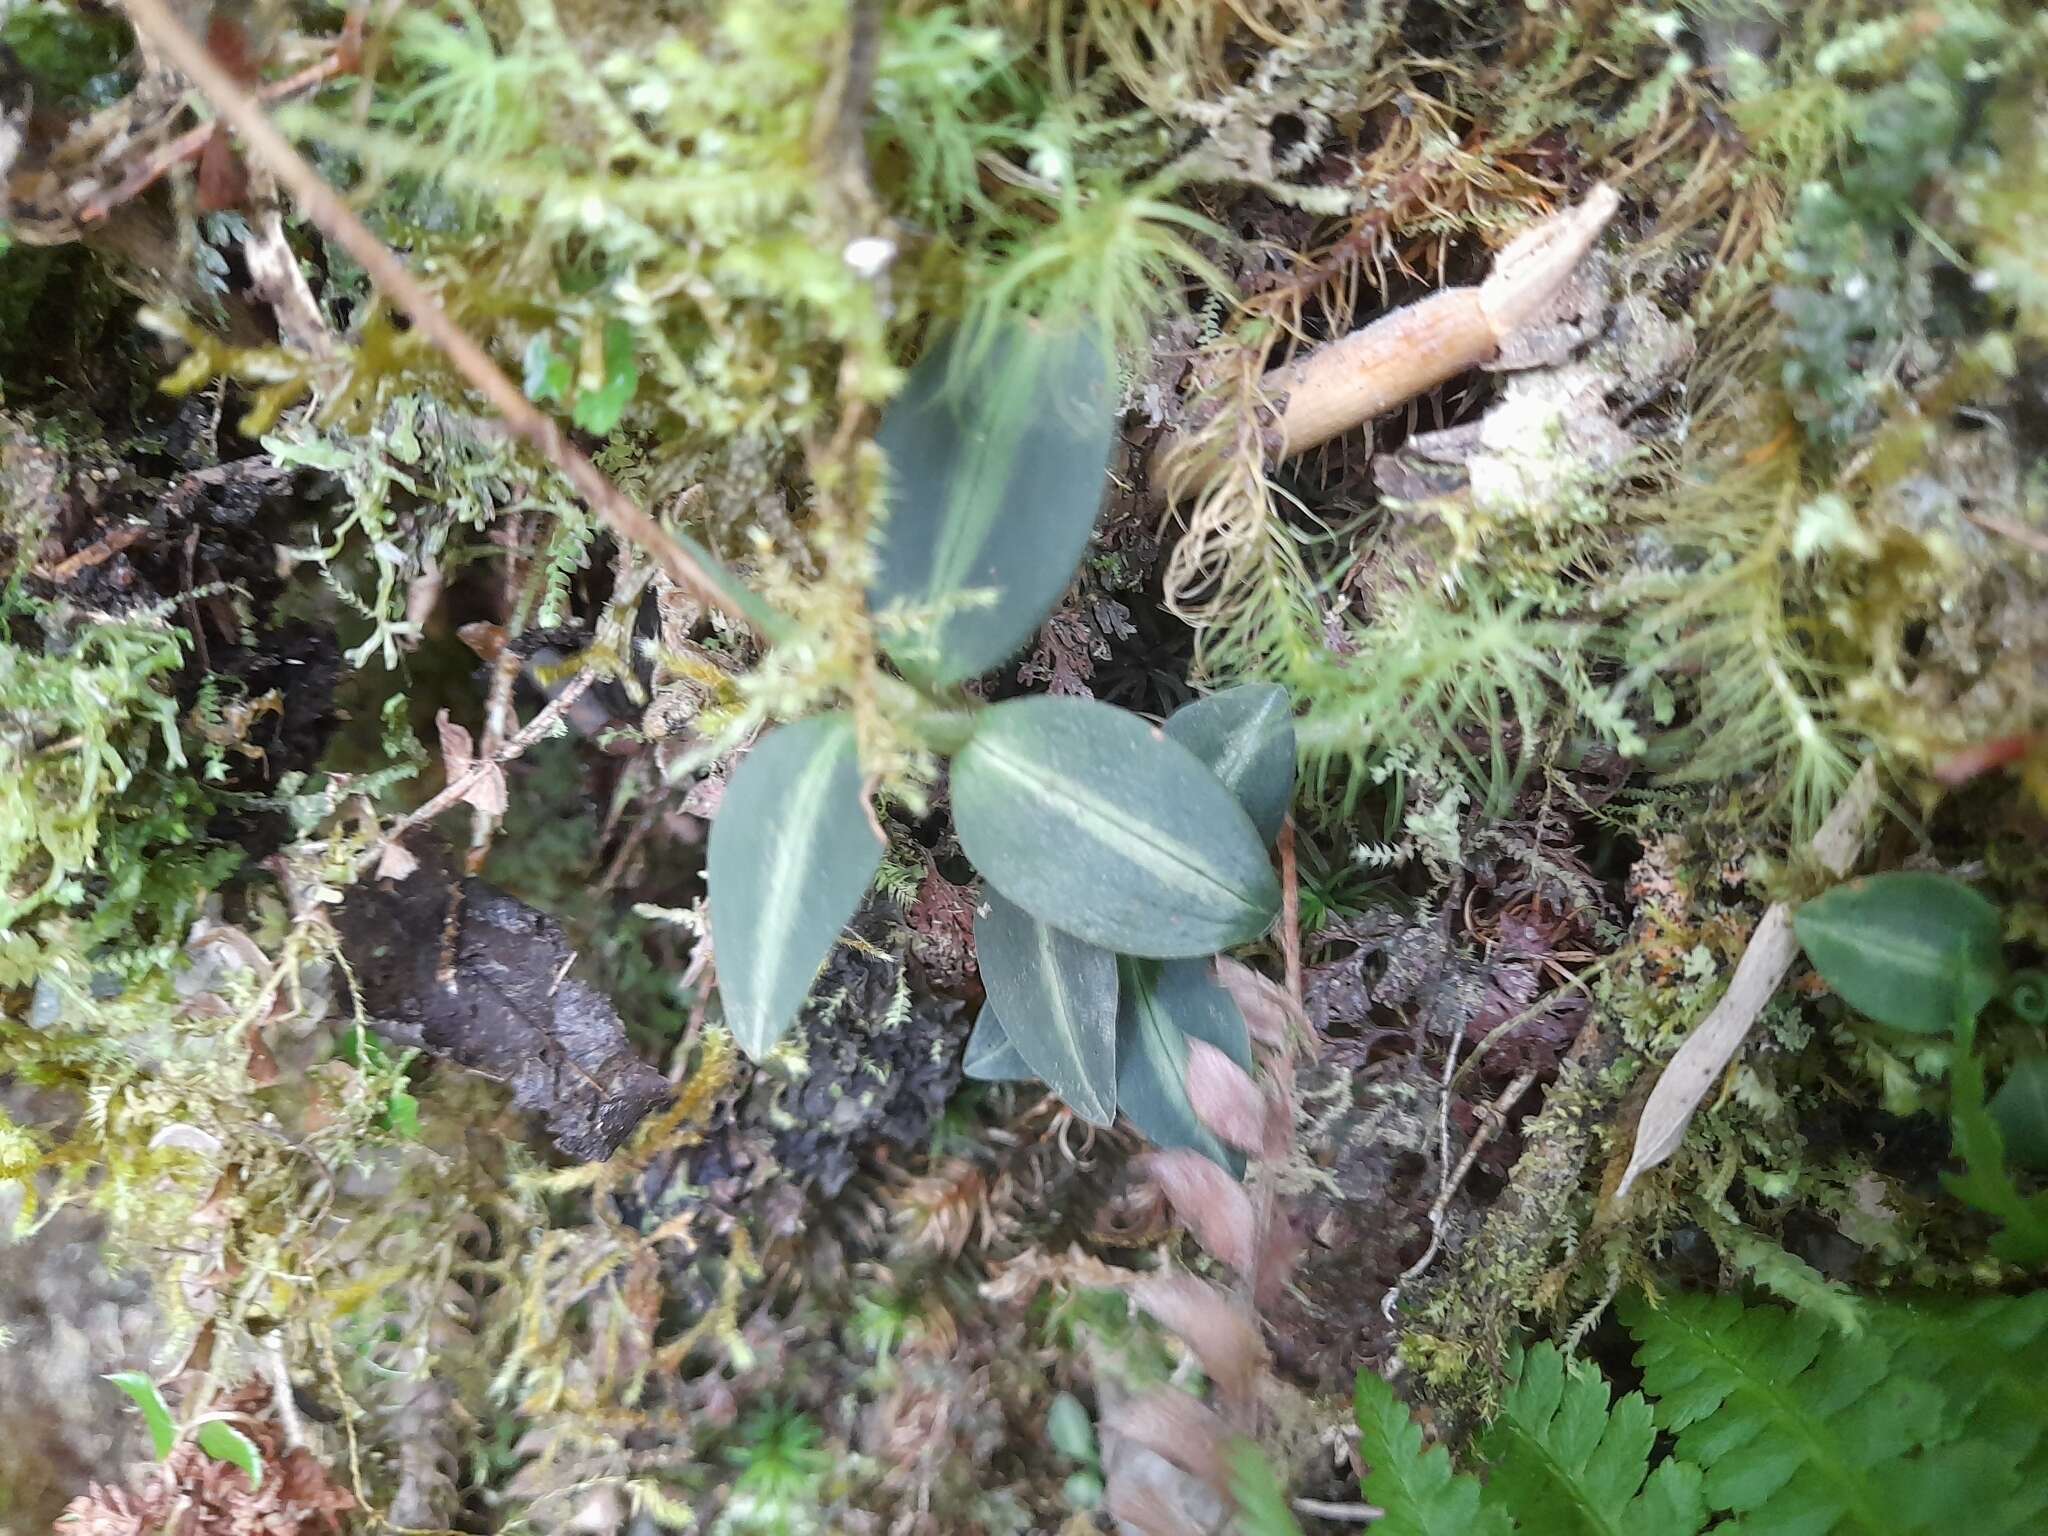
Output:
(1711, 1048)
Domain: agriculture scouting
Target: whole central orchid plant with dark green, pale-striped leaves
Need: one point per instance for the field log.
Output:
(1115, 855)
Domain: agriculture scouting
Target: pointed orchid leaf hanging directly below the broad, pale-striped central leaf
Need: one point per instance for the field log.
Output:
(1058, 1000)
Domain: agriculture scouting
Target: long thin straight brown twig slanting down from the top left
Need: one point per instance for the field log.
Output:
(341, 224)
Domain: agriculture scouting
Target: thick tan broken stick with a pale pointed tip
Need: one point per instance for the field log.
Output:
(1422, 345)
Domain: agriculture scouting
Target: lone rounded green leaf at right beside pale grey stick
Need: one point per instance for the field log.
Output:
(1910, 951)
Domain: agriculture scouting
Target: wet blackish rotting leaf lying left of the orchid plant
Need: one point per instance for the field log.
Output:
(513, 1009)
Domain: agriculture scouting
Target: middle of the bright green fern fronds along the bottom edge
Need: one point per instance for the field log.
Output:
(1568, 1461)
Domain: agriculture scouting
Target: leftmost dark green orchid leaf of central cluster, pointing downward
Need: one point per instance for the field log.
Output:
(792, 855)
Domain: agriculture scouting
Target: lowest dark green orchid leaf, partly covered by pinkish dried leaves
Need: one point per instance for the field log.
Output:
(1162, 1005)
